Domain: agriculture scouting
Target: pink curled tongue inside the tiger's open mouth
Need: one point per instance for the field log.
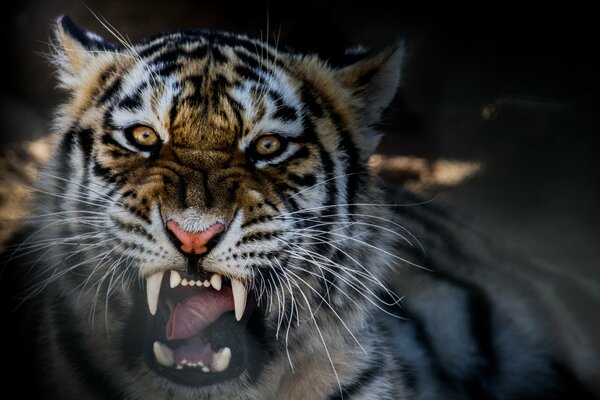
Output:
(196, 312)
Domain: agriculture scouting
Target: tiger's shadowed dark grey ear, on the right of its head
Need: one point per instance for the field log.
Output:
(373, 78)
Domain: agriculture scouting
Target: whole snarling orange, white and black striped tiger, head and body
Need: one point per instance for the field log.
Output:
(208, 227)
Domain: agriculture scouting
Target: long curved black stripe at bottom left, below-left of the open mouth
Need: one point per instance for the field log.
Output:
(73, 347)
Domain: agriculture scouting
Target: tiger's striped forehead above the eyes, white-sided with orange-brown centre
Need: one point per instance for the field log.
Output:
(208, 90)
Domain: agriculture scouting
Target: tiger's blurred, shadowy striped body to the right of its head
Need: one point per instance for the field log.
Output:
(482, 320)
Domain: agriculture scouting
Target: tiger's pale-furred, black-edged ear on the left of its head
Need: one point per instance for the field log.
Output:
(77, 48)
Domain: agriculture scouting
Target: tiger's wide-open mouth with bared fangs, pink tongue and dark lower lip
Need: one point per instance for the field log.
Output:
(198, 332)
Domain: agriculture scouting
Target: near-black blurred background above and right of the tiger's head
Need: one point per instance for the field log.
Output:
(515, 89)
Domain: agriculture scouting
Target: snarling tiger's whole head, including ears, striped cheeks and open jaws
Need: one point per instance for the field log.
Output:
(222, 180)
